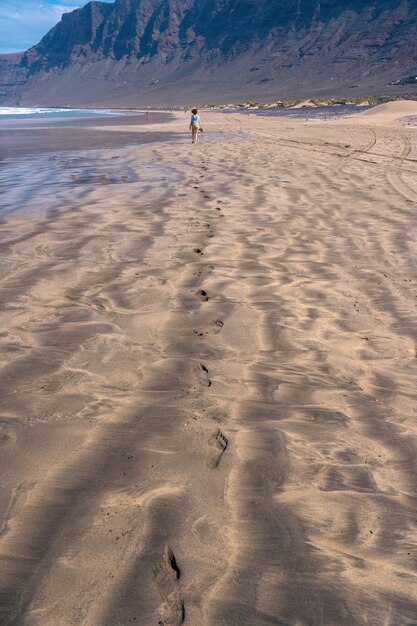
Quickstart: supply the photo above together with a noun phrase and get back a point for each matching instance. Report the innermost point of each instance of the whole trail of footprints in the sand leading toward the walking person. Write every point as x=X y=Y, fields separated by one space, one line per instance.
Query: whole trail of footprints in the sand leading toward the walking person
x=166 y=573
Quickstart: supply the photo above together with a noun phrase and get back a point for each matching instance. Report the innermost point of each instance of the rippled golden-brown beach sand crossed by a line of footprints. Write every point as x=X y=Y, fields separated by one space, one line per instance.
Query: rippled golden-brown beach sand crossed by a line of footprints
x=208 y=407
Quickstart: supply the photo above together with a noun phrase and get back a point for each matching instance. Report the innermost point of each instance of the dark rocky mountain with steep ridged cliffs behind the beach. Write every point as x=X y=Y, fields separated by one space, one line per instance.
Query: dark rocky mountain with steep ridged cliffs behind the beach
x=159 y=52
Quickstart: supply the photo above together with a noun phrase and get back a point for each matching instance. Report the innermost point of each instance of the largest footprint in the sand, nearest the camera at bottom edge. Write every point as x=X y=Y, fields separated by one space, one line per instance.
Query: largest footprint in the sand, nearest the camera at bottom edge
x=165 y=576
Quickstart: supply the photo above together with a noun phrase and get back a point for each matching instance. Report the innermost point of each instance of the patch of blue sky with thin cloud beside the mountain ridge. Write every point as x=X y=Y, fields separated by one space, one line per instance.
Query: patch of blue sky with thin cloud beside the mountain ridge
x=23 y=23
